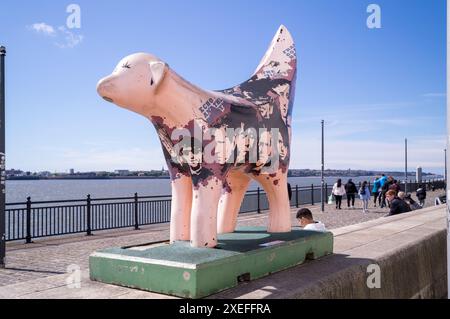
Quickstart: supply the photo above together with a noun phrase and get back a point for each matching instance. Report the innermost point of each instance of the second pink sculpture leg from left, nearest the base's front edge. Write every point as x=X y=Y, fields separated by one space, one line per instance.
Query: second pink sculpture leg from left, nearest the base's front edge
x=204 y=213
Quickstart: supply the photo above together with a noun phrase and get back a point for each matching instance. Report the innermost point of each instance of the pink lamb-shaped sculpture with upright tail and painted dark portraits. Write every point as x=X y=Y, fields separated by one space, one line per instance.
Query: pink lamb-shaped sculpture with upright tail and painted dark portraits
x=216 y=142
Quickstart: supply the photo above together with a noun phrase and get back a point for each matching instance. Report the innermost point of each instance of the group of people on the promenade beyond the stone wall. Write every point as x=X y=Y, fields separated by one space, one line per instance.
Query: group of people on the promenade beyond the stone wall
x=386 y=192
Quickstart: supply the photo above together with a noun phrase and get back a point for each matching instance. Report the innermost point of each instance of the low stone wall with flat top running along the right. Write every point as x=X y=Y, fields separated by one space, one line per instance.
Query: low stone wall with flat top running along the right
x=408 y=250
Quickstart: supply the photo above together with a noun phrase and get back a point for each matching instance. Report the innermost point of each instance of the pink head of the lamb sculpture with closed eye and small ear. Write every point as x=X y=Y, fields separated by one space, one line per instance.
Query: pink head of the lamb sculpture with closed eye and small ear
x=134 y=82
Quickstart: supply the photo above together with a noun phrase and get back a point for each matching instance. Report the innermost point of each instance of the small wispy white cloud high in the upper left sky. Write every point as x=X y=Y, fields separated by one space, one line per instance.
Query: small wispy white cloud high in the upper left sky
x=65 y=39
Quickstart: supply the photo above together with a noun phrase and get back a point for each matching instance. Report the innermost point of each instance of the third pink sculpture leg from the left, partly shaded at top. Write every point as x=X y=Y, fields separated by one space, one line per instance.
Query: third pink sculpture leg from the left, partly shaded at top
x=230 y=203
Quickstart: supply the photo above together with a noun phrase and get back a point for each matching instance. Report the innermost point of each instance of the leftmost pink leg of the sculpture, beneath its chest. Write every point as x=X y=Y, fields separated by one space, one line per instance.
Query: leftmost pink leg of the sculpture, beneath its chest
x=180 y=222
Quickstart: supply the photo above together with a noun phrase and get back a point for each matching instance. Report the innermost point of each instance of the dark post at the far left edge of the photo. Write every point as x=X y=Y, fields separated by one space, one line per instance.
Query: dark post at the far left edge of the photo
x=2 y=158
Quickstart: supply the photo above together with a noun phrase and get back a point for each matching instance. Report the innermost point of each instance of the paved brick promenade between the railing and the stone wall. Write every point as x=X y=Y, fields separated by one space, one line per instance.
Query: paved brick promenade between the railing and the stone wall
x=33 y=264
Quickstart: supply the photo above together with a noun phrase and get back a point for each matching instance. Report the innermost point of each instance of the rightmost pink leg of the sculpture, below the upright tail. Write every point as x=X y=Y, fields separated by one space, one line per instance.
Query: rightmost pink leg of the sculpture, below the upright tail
x=277 y=194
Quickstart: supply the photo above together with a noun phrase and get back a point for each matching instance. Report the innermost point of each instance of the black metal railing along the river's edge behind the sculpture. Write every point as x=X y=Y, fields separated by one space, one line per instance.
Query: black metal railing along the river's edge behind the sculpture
x=28 y=220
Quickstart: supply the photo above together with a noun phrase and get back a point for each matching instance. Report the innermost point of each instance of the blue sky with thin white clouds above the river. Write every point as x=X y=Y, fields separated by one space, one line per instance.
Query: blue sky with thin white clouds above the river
x=373 y=87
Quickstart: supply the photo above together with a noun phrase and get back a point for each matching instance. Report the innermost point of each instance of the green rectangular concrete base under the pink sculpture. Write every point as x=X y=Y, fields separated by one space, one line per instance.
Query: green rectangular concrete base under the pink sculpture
x=183 y=271
